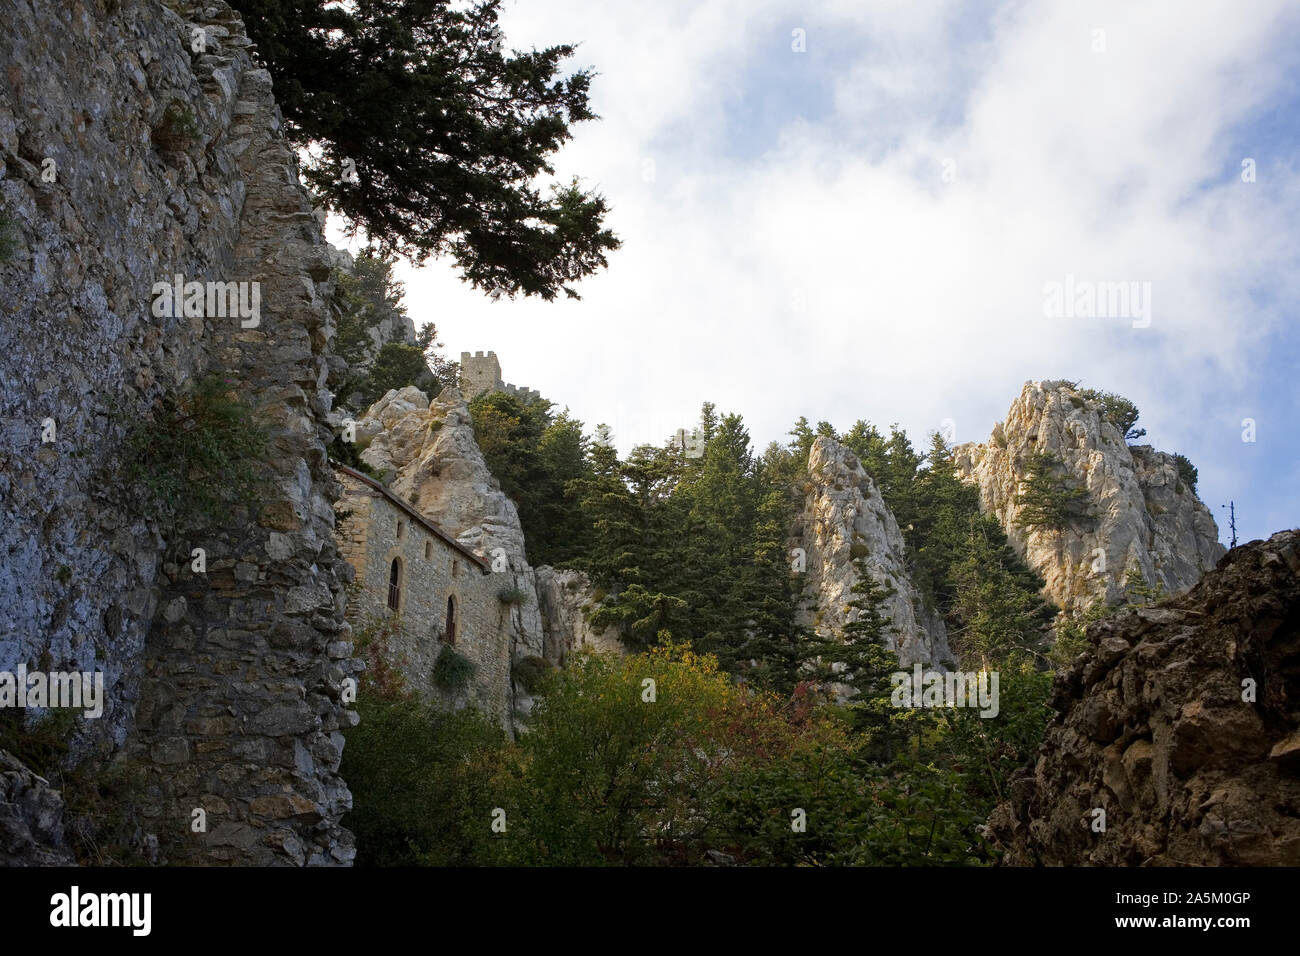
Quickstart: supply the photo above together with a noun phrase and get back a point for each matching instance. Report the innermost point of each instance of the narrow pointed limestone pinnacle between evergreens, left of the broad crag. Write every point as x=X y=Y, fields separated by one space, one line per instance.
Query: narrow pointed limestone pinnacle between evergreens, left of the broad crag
x=844 y=516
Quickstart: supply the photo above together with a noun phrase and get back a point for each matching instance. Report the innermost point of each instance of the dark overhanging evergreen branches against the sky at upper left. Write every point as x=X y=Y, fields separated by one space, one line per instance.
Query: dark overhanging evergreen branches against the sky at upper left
x=432 y=140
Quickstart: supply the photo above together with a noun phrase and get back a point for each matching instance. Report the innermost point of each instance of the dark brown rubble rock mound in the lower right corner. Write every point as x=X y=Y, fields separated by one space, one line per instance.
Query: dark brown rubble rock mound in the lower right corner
x=1181 y=725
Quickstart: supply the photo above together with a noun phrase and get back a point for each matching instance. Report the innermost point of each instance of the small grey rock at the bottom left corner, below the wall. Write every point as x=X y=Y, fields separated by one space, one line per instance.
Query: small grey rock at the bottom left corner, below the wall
x=32 y=819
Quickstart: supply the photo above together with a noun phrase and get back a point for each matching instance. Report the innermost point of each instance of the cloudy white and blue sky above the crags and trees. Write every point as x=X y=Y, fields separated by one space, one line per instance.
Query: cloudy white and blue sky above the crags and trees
x=859 y=209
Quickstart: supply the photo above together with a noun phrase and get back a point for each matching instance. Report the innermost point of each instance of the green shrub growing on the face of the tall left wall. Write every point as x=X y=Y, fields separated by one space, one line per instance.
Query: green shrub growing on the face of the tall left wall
x=198 y=458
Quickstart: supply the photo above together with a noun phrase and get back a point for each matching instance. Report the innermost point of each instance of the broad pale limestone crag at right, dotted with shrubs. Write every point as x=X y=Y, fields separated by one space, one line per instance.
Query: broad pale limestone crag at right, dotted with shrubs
x=1145 y=516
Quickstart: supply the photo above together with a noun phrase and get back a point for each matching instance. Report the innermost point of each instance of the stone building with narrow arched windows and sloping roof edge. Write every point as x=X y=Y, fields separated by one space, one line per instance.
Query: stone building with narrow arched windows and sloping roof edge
x=444 y=595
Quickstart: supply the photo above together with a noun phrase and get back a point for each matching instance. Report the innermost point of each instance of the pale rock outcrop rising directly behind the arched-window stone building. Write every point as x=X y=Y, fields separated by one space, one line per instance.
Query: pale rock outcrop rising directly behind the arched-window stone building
x=431 y=460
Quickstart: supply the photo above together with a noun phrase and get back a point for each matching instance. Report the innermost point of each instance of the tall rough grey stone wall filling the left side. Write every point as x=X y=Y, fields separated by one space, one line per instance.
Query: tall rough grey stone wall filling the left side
x=166 y=157
